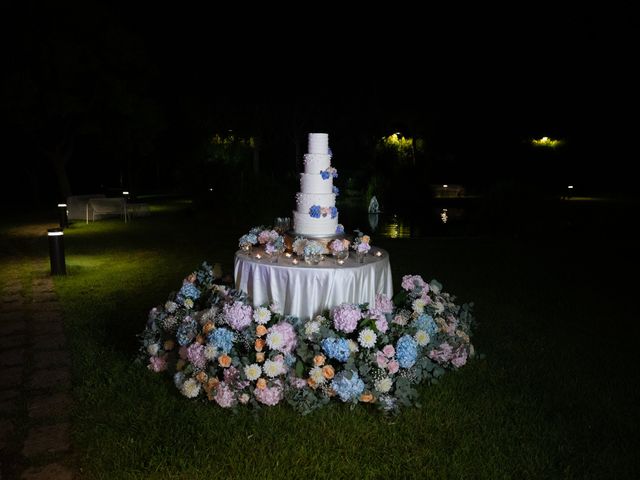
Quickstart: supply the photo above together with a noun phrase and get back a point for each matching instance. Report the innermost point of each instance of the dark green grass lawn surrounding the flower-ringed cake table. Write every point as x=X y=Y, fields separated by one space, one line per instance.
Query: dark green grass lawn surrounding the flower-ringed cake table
x=554 y=397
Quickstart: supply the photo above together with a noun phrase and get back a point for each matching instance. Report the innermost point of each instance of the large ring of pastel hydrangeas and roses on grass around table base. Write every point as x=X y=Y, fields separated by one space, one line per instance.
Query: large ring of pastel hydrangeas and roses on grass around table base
x=221 y=349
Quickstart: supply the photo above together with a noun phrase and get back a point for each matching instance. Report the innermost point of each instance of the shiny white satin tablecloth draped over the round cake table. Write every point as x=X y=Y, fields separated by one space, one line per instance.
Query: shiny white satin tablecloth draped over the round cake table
x=306 y=290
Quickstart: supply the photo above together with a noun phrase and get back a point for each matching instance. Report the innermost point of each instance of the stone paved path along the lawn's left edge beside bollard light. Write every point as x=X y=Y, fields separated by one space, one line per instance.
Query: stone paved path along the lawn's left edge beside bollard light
x=35 y=382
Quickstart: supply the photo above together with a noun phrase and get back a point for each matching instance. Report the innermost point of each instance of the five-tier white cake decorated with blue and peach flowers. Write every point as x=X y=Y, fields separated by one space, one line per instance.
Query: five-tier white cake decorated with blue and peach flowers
x=316 y=212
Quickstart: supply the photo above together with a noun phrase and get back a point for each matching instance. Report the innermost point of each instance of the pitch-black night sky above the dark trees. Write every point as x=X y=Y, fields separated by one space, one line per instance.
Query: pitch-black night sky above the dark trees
x=476 y=84
